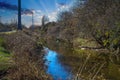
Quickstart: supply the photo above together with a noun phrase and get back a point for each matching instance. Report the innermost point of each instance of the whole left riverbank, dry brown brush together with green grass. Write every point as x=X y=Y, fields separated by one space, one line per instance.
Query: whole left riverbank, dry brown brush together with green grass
x=26 y=57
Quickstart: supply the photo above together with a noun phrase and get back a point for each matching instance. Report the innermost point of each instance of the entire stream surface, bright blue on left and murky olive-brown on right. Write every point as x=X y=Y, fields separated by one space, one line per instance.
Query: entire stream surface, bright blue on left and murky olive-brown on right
x=76 y=60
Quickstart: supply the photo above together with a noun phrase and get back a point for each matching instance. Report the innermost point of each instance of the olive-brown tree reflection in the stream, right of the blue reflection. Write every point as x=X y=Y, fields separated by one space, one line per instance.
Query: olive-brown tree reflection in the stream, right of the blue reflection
x=88 y=64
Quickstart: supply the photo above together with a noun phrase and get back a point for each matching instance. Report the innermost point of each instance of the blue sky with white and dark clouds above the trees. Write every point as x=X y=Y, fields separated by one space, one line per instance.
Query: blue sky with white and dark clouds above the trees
x=39 y=8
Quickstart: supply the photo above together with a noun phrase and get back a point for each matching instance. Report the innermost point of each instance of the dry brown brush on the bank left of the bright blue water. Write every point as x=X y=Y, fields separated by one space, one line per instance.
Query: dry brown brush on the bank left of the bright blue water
x=27 y=58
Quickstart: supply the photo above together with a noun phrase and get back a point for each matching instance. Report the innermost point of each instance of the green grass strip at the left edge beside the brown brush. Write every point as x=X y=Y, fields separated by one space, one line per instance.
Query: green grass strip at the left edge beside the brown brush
x=5 y=59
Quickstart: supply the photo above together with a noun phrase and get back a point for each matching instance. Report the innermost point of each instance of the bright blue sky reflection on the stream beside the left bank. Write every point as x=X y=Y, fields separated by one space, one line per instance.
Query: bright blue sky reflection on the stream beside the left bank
x=55 y=68
